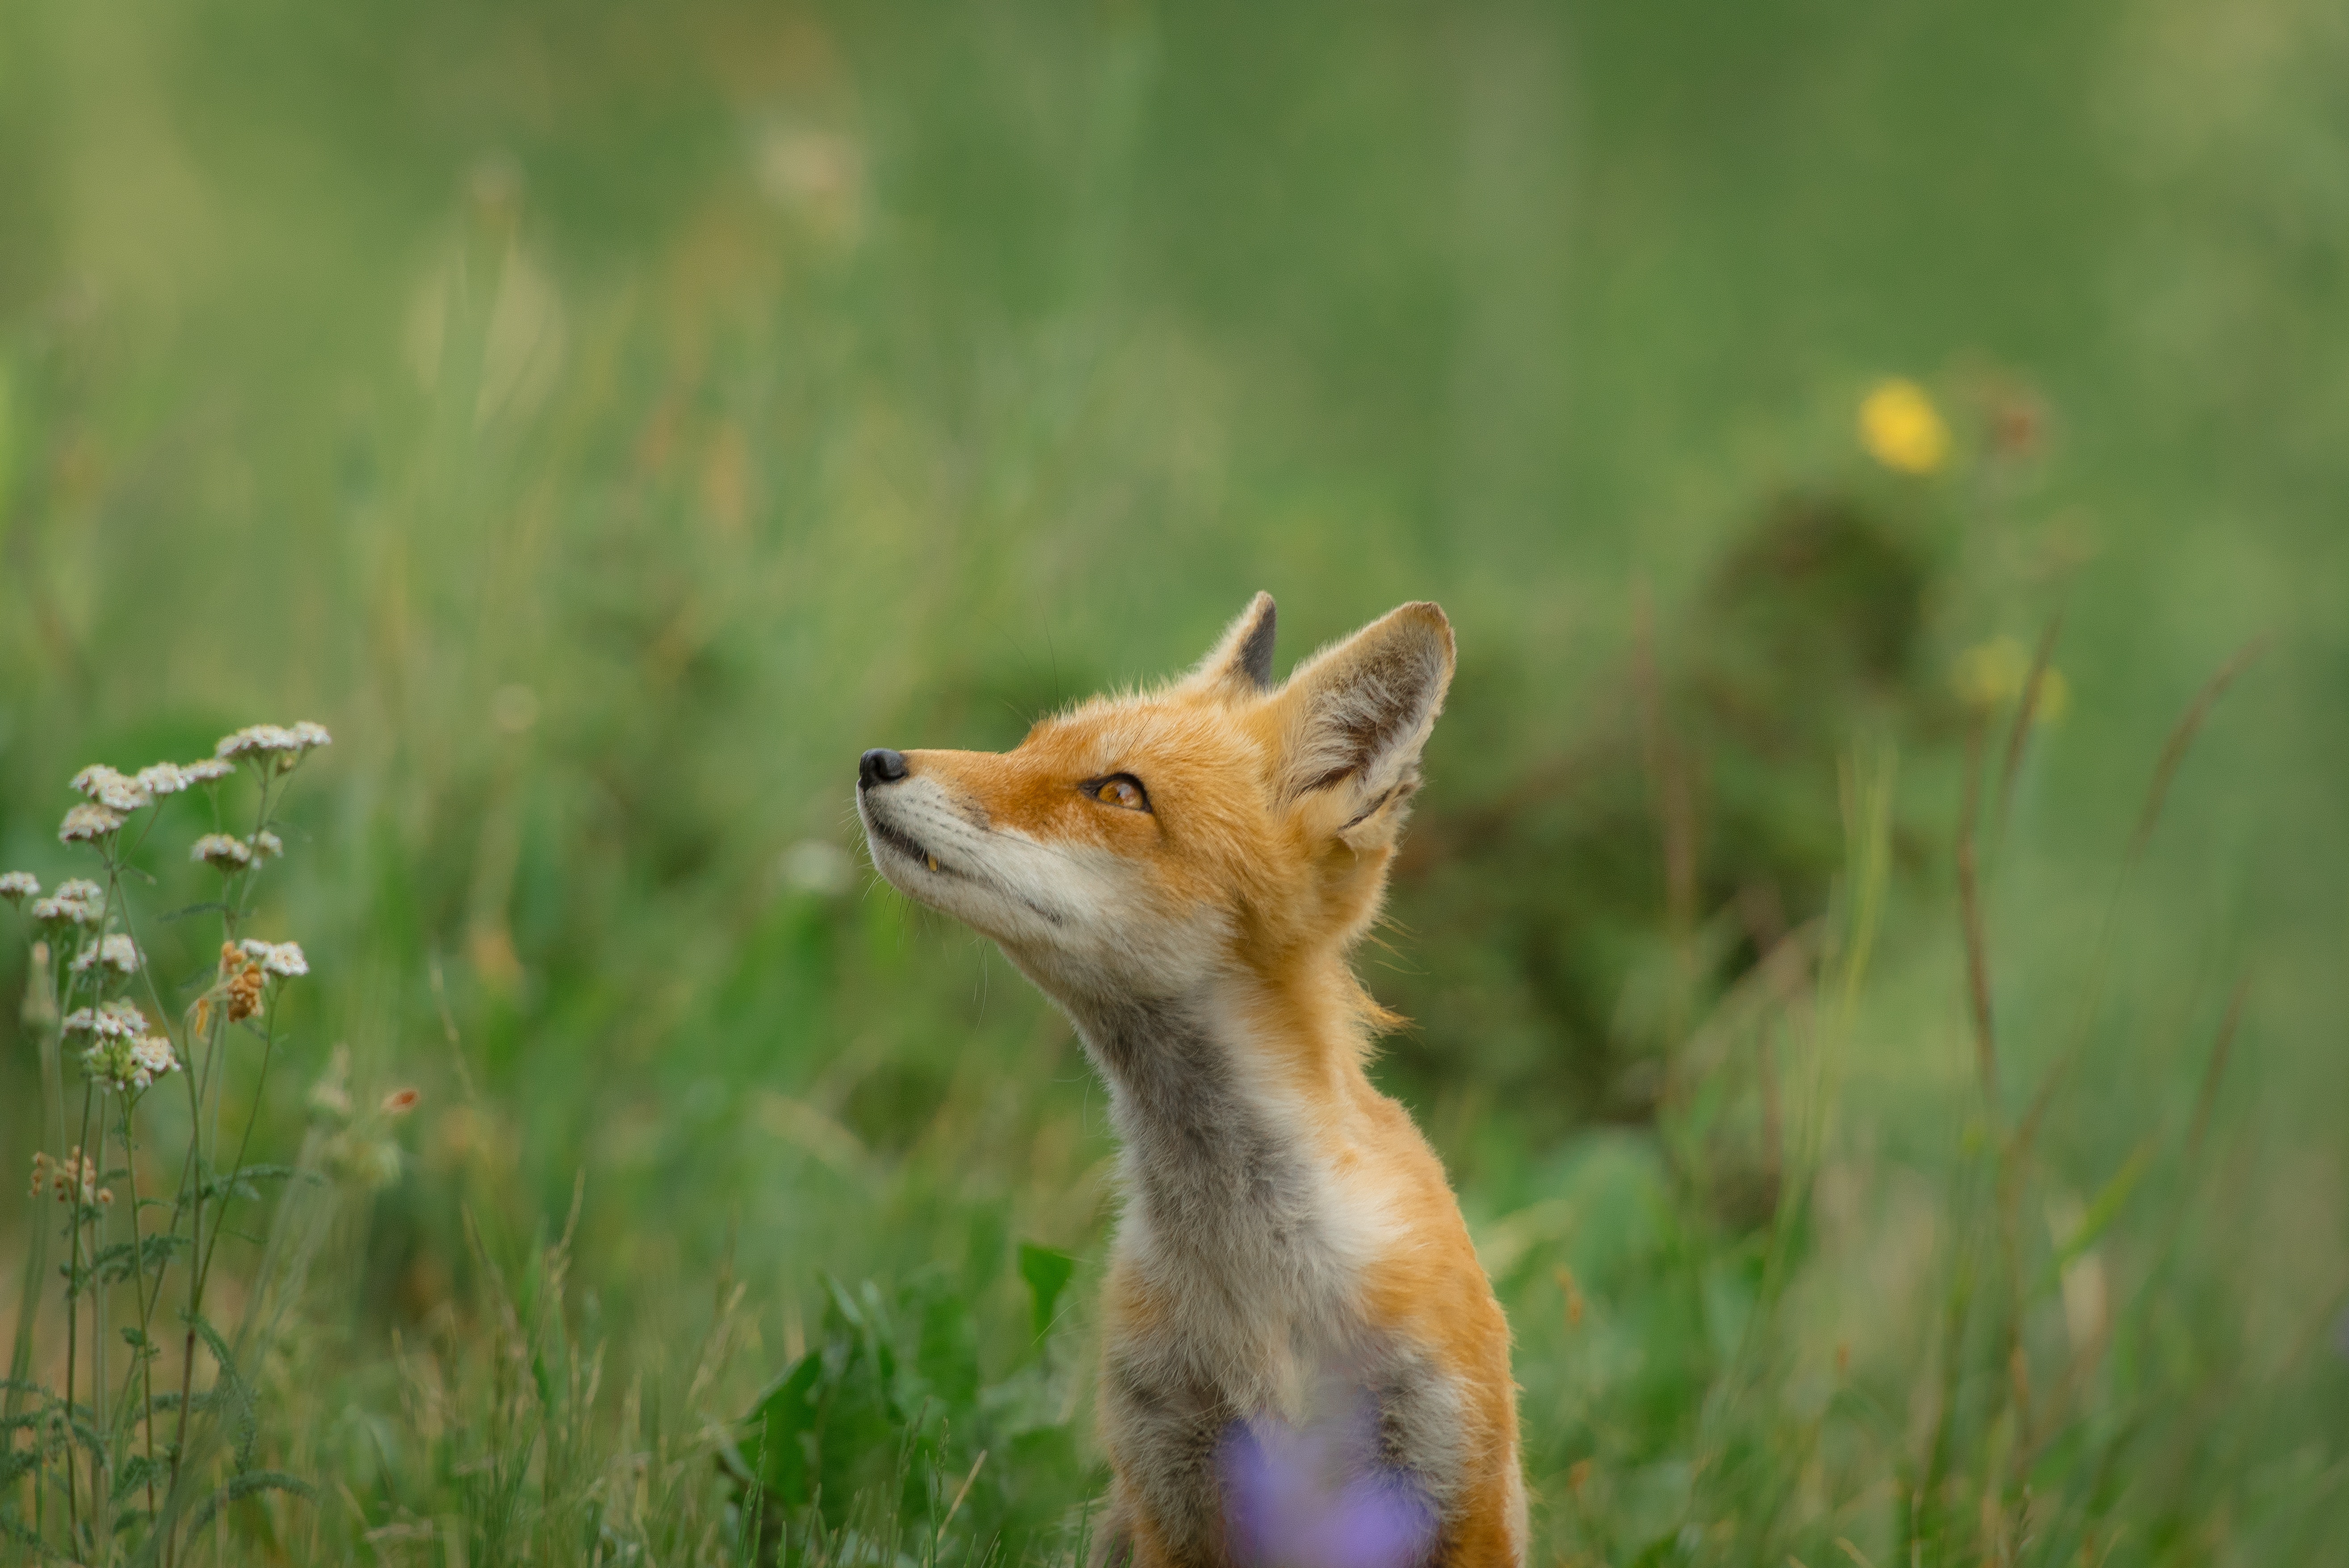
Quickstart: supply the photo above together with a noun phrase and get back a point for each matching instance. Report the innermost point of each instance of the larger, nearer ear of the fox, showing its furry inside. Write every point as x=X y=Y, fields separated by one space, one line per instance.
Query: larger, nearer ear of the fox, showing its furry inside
x=1361 y=712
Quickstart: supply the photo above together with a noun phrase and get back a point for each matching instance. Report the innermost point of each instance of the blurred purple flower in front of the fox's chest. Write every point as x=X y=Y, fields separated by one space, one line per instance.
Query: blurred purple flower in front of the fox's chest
x=1319 y=1499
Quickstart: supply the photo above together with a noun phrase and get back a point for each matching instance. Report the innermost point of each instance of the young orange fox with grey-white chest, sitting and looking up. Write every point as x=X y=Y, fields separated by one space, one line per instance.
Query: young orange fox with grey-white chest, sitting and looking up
x=1303 y=1363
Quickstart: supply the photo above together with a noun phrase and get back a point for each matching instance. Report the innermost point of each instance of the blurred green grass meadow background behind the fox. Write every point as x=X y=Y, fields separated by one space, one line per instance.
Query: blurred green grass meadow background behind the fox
x=614 y=419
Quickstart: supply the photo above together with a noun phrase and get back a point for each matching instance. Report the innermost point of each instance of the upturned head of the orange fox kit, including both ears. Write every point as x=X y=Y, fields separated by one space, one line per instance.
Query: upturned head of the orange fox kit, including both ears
x=1150 y=846
